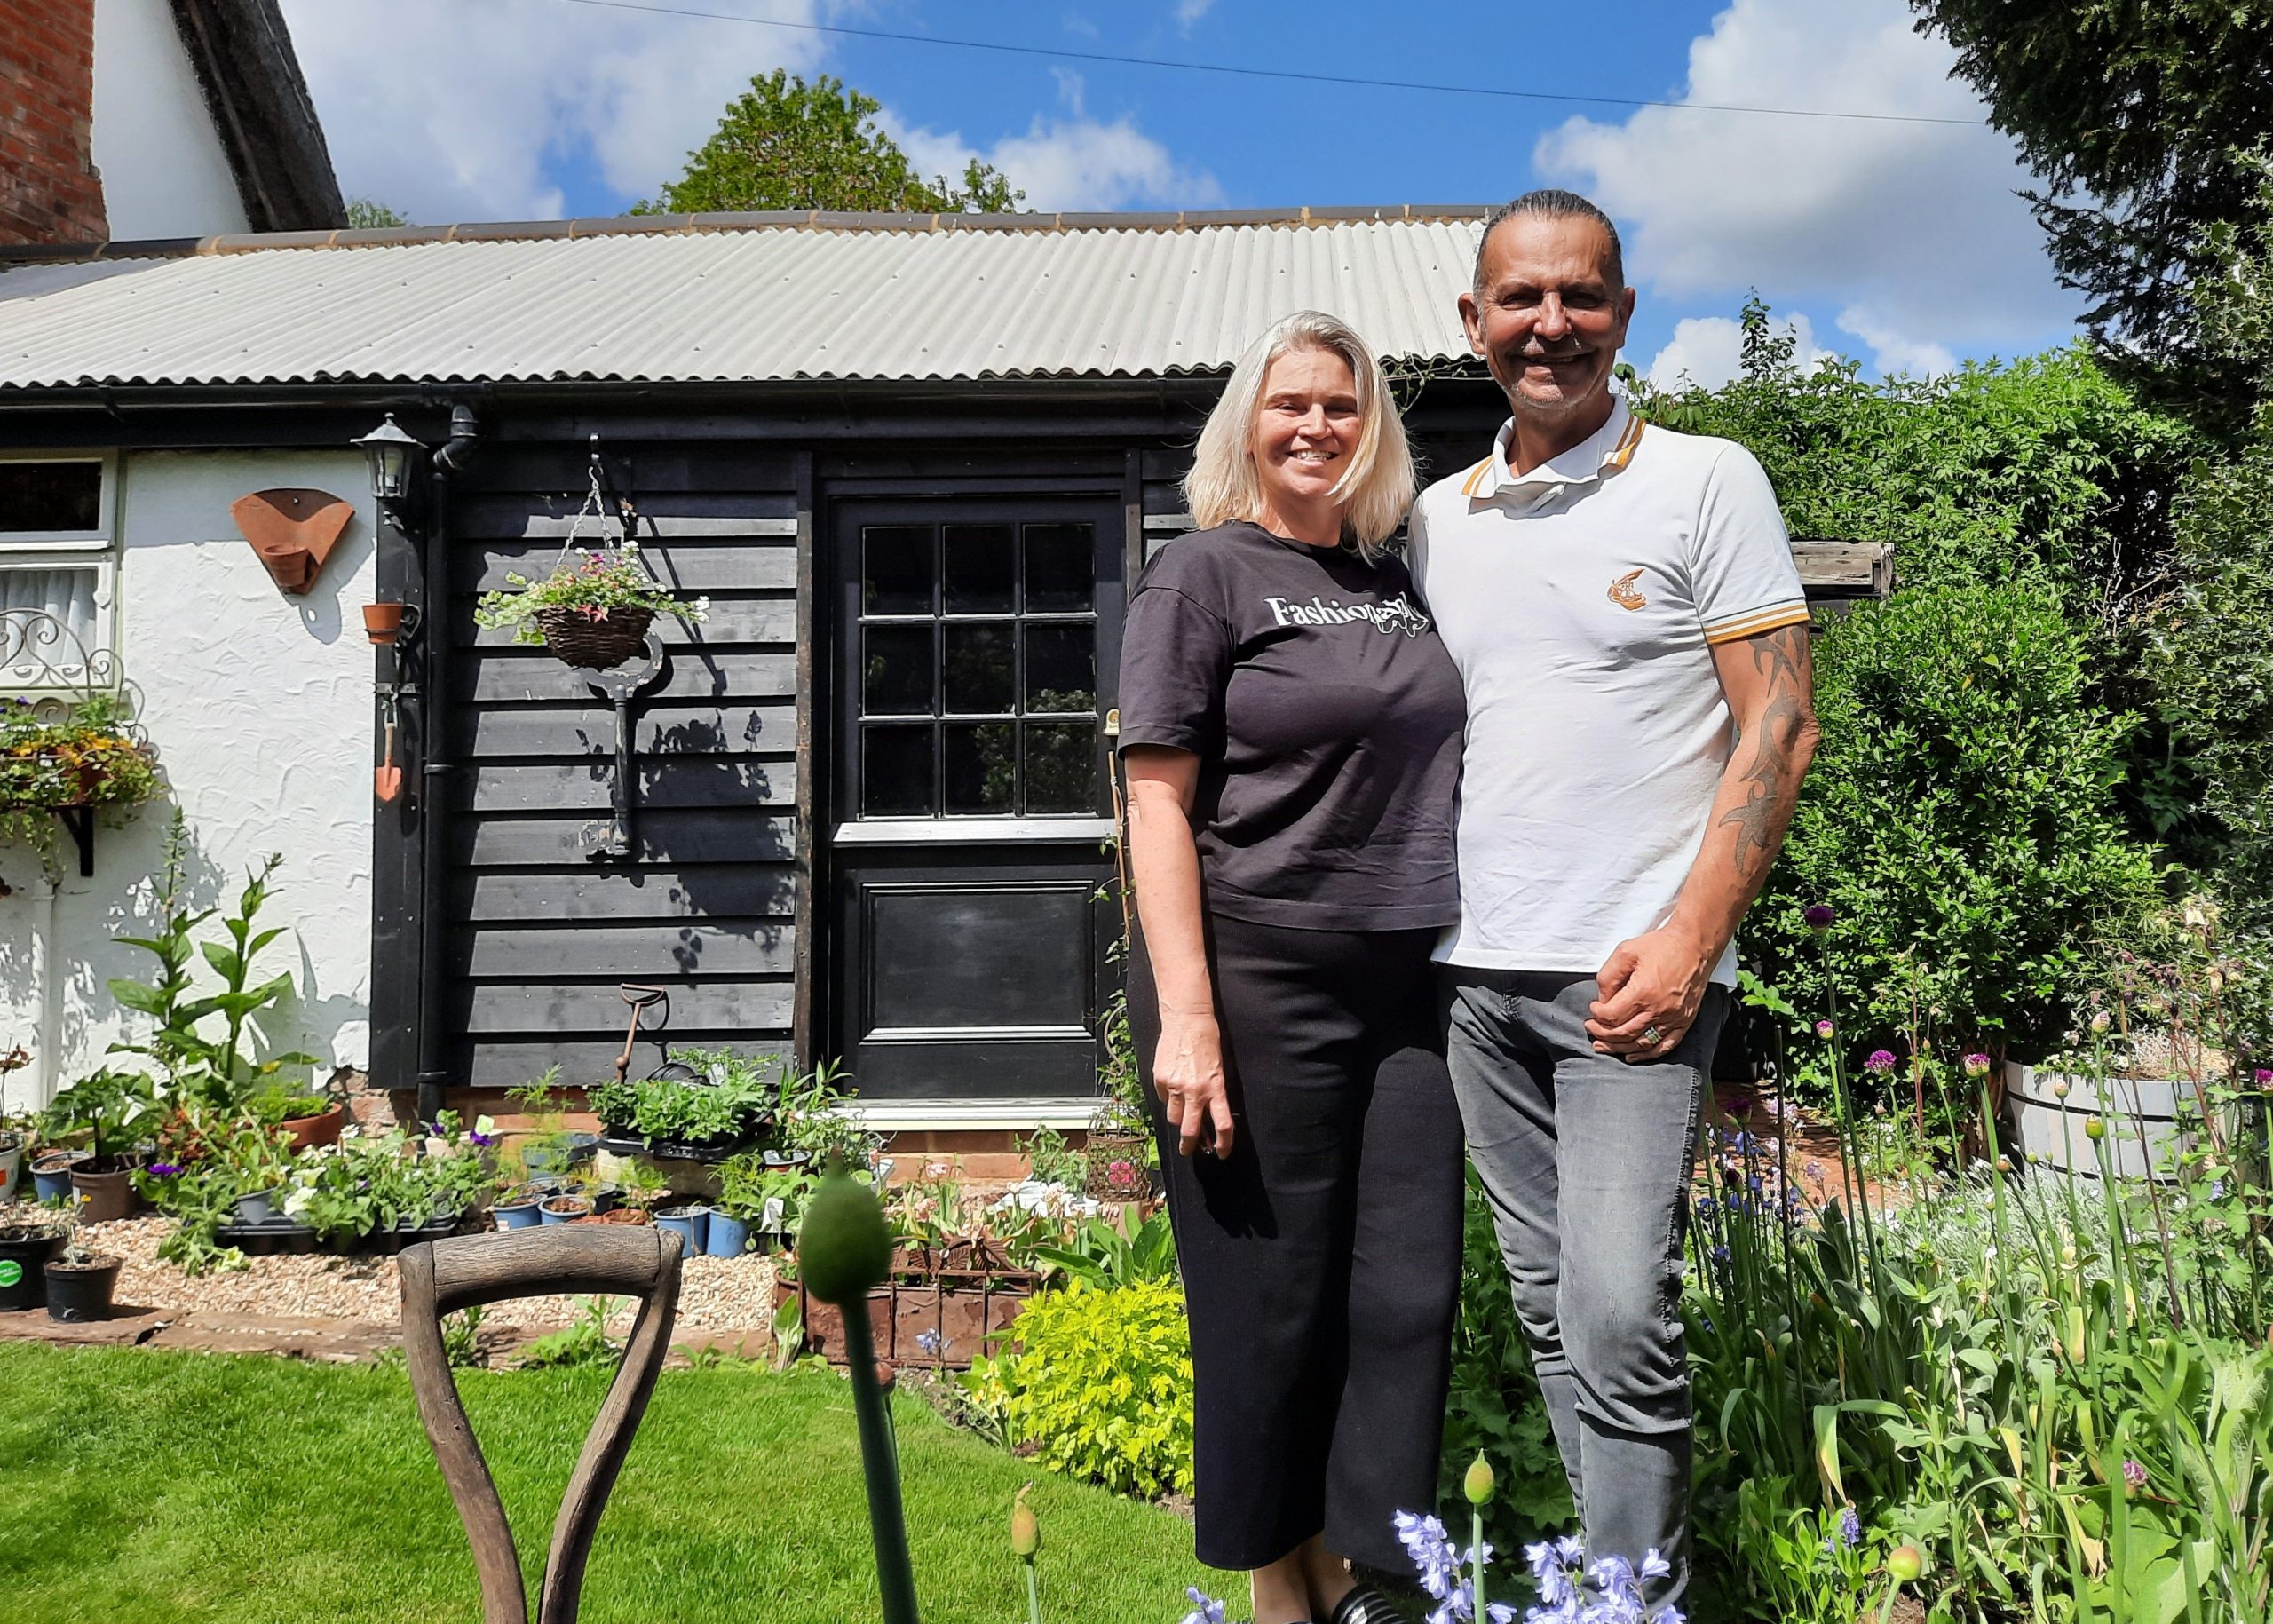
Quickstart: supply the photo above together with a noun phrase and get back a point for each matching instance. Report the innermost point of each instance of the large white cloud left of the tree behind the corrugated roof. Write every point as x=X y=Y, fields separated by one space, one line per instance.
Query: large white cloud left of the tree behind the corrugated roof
x=449 y=110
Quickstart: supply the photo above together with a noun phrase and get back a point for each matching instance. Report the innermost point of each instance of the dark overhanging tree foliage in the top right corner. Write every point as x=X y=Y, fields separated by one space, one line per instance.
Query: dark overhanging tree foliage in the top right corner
x=2140 y=122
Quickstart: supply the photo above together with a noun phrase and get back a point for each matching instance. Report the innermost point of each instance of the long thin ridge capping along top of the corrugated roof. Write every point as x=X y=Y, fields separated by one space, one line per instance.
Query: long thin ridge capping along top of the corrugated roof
x=751 y=222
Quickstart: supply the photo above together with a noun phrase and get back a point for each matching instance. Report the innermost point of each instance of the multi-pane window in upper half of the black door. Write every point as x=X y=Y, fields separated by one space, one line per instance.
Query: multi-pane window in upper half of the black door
x=979 y=670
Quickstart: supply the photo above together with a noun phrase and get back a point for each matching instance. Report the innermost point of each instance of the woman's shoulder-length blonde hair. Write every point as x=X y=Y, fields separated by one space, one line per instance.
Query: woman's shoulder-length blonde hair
x=1379 y=483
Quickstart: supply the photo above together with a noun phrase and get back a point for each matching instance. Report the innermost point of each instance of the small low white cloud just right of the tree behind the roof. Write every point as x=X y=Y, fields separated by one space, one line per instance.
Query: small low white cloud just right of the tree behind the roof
x=1072 y=165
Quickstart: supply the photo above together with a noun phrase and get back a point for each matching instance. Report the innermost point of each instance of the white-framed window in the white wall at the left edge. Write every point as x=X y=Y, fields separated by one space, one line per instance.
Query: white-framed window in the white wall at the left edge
x=58 y=558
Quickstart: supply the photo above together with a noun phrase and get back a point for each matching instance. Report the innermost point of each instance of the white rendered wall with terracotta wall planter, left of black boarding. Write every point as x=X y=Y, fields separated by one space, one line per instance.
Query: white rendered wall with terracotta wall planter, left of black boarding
x=260 y=711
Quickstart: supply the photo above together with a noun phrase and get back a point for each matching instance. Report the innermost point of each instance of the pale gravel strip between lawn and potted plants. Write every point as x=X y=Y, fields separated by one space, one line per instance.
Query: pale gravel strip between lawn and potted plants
x=715 y=1293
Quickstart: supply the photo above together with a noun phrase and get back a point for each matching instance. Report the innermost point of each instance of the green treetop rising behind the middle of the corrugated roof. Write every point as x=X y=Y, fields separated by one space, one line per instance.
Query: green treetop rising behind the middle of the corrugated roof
x=790 y=144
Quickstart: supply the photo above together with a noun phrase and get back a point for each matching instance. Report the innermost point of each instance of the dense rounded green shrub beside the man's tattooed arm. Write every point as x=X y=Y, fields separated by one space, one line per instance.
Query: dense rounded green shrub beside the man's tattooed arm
x=1960 y=820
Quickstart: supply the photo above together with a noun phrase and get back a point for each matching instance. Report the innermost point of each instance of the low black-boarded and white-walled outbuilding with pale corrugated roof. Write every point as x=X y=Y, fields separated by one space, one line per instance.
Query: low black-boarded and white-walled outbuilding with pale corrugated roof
x=865 y=809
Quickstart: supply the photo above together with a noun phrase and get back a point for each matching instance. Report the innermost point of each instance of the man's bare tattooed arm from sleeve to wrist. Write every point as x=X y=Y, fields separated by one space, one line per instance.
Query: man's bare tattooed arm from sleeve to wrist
x=1776 y=738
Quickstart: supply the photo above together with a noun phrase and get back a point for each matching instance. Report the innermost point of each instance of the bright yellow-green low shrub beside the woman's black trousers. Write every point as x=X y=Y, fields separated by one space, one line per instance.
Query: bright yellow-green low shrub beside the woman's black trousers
x=1101 y=1386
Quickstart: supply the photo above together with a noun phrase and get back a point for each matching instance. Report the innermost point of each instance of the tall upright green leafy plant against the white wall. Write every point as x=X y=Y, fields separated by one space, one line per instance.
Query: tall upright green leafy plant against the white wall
x=203 y=1066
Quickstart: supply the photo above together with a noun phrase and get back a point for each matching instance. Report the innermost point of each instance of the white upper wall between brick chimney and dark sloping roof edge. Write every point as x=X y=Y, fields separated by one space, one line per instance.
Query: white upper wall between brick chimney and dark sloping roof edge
x=165 y=172
